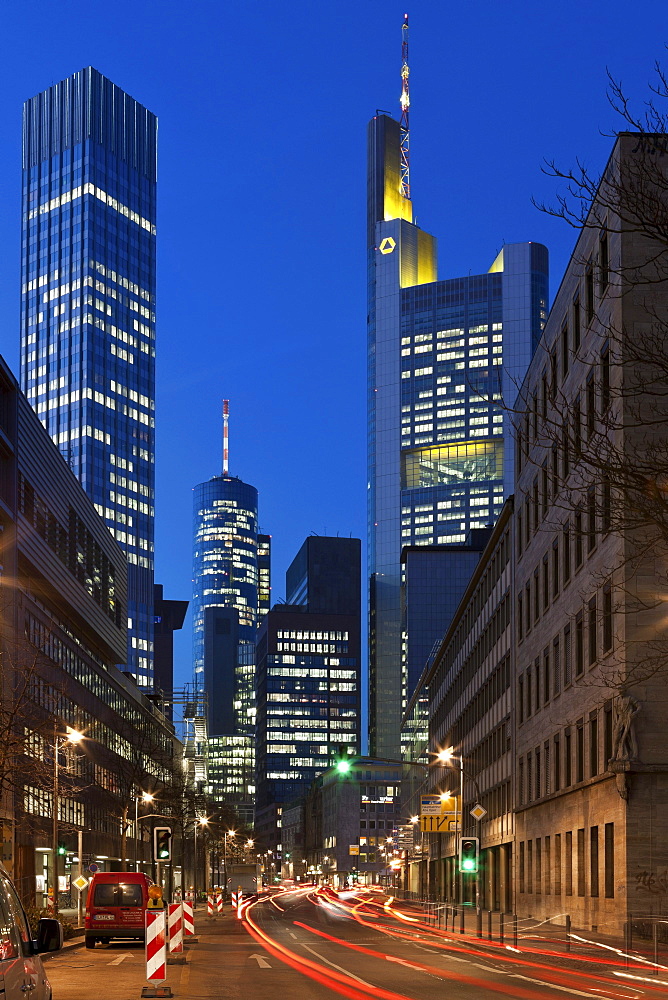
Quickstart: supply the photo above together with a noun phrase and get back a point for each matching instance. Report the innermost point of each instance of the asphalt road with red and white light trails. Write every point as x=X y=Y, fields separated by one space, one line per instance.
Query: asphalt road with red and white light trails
x=312 y=945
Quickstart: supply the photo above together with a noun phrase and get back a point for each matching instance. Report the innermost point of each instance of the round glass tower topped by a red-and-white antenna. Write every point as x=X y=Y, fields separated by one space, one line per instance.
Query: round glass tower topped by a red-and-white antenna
x=225 y=575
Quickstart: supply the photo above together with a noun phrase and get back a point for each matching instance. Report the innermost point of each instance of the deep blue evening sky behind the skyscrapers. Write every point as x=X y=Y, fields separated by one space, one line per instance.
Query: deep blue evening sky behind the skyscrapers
x=261 y=206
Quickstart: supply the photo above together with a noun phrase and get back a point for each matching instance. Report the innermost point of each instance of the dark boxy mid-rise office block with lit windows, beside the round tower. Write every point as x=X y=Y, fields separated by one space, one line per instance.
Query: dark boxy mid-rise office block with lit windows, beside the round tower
x=308 y=678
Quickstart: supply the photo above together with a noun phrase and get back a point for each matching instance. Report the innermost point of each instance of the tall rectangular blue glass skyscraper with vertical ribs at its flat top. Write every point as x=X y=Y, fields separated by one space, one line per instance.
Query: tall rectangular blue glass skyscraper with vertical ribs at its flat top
x=88 y=309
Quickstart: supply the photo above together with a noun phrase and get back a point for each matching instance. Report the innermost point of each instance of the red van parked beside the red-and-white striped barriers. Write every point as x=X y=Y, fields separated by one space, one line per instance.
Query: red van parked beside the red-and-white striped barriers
x=116 y=906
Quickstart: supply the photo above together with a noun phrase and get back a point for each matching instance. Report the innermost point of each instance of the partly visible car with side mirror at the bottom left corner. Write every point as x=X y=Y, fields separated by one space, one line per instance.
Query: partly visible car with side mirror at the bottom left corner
x=21 y=969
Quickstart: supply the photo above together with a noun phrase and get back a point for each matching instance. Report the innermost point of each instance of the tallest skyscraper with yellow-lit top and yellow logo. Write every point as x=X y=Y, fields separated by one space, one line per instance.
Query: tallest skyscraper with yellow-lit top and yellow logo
x=440 y=355
